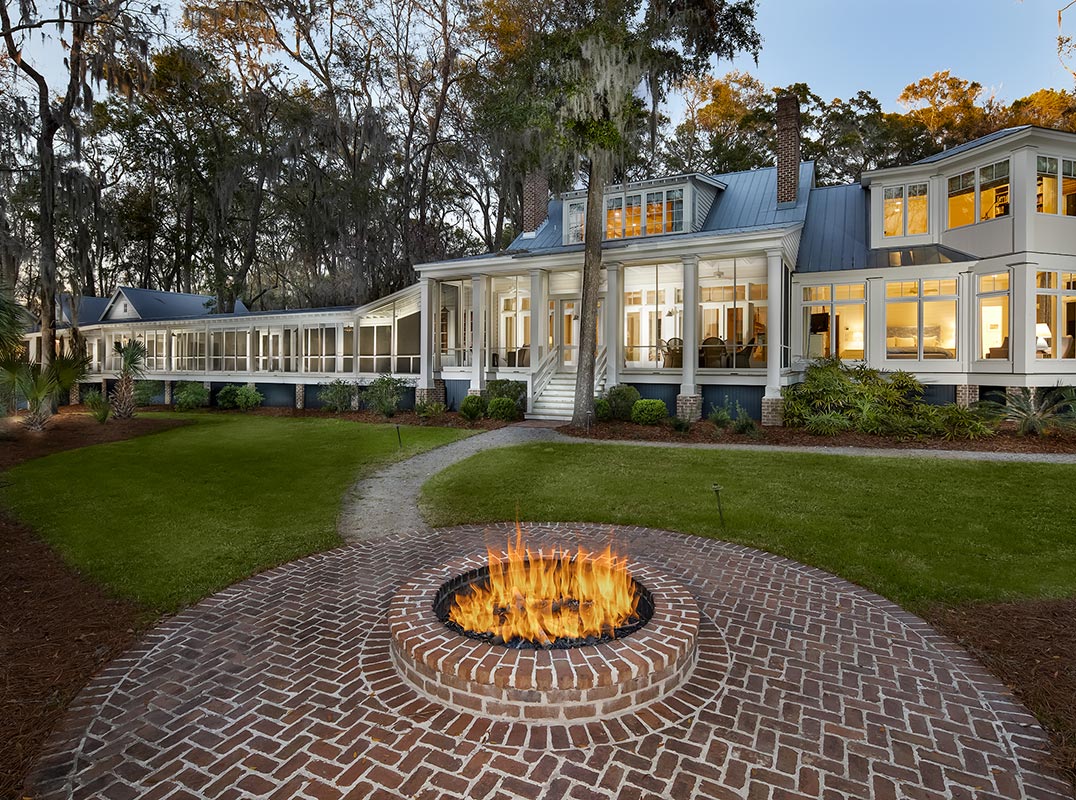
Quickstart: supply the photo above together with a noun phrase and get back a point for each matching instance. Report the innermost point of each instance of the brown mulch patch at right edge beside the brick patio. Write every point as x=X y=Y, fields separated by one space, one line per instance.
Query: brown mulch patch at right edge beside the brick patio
x=1031 y=647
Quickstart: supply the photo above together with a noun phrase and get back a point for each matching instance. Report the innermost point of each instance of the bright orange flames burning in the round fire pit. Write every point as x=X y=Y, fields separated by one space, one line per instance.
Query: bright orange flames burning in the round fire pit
x=542 y=598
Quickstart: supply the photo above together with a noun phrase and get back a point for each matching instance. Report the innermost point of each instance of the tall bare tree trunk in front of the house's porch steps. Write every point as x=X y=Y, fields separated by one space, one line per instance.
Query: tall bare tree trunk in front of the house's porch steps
x=601 y=166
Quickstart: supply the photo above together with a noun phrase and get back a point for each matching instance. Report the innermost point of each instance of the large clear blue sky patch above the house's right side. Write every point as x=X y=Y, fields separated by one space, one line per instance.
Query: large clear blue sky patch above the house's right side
x=841 y=47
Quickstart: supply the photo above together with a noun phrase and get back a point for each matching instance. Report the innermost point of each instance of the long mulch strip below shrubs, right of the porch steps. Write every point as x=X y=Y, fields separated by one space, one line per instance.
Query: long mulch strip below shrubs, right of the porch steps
x=1004 y=441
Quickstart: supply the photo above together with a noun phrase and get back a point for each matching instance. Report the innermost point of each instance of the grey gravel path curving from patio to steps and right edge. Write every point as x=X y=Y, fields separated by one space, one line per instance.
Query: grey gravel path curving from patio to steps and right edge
x=388 y=503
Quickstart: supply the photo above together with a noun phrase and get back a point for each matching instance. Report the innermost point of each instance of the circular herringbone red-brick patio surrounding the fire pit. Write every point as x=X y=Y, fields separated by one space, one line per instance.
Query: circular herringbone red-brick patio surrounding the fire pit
x=806 y=687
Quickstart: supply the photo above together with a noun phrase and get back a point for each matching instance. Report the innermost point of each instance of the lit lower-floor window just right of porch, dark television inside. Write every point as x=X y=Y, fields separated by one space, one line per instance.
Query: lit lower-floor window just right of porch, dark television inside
x=836 y=321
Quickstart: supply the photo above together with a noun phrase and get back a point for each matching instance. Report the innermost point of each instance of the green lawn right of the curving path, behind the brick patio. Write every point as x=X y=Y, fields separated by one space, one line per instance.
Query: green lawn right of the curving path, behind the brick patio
x=916 y=531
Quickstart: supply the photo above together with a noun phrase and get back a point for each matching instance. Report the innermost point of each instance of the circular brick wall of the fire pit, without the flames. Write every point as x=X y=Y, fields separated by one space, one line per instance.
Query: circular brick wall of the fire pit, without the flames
x=584 y=683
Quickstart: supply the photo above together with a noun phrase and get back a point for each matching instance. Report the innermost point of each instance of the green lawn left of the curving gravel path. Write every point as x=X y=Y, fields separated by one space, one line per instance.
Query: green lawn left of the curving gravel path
x=169 y=518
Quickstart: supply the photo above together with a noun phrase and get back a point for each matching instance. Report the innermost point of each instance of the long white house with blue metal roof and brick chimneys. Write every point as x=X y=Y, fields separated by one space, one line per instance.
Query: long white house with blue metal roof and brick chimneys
x=960 y=269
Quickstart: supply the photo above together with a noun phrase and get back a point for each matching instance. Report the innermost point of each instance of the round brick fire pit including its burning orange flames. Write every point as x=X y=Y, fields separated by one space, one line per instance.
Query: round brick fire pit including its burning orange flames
x=549 y=653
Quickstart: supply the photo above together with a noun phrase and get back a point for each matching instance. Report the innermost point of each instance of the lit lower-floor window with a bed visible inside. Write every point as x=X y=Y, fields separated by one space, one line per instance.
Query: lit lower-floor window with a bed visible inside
x=922 y=319
